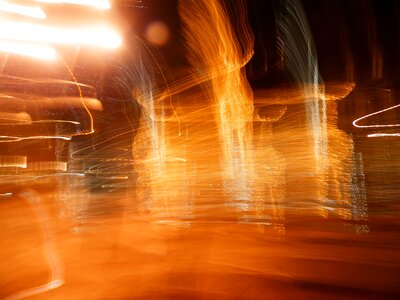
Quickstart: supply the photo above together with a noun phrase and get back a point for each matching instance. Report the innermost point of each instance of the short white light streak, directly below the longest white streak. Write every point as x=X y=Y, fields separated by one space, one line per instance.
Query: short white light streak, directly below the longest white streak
x=28 y=49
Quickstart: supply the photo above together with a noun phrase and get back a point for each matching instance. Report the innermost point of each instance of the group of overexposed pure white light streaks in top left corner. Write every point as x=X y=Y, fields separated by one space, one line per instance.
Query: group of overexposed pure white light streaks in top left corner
x=37 y=39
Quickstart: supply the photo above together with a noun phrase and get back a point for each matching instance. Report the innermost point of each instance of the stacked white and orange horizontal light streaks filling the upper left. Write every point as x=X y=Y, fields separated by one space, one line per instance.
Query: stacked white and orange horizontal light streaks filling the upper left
x=46 y=112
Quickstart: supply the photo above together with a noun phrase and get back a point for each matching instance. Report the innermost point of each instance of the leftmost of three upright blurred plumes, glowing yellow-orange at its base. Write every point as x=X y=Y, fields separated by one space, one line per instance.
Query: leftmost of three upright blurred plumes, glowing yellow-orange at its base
x=159 y=179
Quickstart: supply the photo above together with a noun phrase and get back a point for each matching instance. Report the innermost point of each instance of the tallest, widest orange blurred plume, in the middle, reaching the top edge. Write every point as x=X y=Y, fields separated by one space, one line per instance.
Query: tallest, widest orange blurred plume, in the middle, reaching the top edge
x=216 y=49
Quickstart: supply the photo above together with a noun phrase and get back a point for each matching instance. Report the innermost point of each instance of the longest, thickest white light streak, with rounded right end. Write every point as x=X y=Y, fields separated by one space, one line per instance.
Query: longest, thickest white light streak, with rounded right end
x=95 y=35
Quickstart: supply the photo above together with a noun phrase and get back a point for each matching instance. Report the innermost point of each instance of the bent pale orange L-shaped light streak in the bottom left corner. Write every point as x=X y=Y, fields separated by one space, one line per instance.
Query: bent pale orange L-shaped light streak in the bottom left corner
x=56 y=278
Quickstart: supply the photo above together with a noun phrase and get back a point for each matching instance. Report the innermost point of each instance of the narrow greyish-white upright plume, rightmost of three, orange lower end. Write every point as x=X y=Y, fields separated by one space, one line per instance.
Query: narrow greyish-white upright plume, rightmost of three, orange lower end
x=299 y=57
